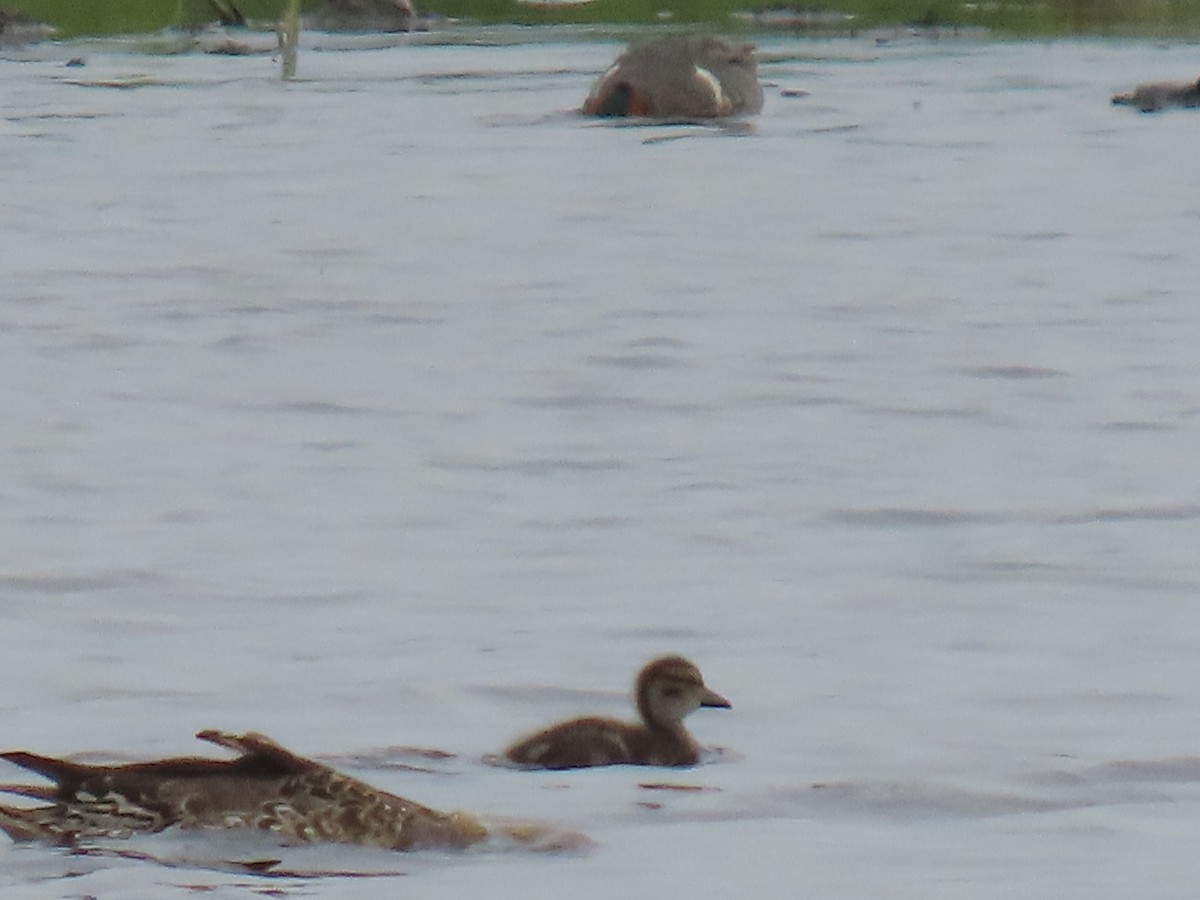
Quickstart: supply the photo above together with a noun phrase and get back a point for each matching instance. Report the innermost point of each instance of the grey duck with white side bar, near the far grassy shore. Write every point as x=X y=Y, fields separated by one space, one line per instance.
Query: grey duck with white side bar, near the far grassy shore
x=680 y=77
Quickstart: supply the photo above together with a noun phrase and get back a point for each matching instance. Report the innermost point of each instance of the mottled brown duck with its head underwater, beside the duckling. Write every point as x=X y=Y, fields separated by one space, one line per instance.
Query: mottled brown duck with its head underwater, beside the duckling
x=266 y=788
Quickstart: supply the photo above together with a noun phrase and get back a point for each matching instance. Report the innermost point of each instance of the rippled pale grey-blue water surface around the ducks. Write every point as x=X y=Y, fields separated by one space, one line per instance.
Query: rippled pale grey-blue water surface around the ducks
x=400 y=406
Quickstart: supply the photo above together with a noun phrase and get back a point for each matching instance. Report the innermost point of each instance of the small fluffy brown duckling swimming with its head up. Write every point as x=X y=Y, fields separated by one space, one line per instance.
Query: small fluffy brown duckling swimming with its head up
x=668 y=691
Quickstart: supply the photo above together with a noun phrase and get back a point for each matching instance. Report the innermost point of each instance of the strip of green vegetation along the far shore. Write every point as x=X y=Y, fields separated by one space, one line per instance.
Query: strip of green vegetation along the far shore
x=1160 y=19
